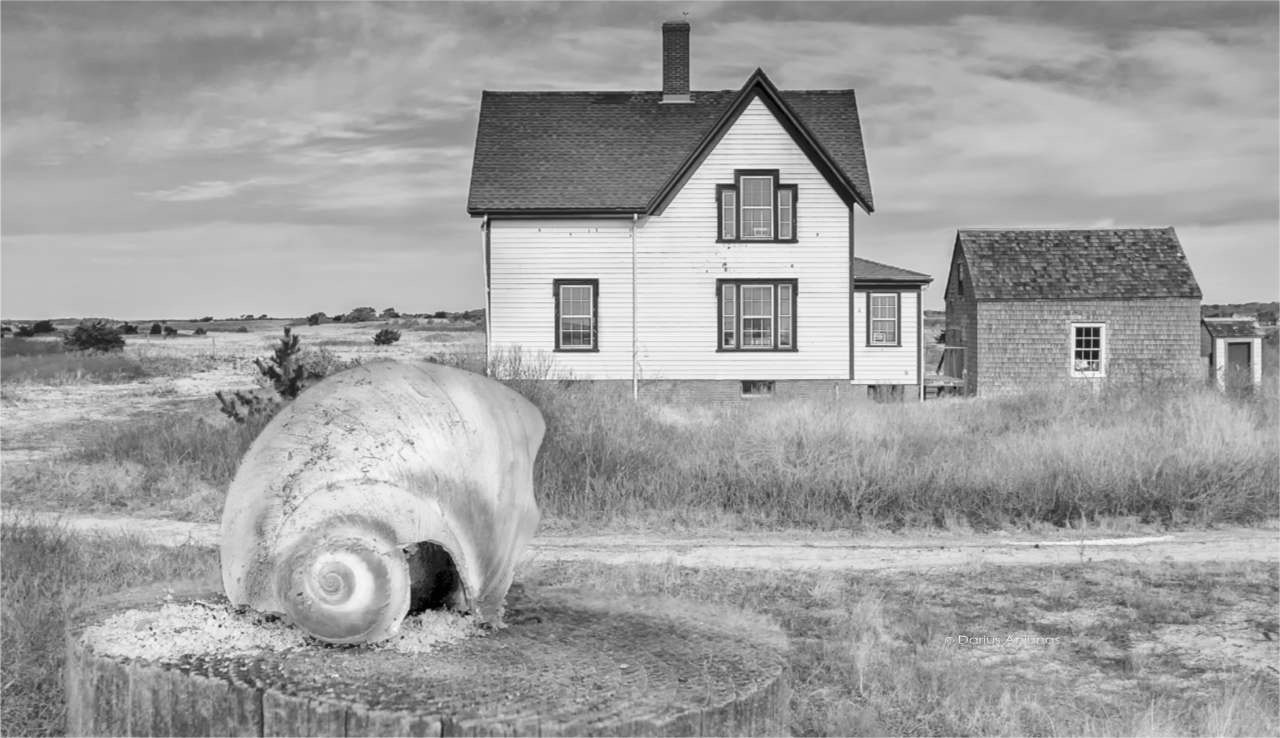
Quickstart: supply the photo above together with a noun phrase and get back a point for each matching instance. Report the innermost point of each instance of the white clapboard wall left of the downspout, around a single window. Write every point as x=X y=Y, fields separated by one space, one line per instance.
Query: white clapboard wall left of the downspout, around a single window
x=527 y=256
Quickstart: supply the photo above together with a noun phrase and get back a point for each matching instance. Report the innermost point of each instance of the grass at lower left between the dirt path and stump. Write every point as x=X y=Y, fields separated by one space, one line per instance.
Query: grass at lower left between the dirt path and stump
x=45 y=575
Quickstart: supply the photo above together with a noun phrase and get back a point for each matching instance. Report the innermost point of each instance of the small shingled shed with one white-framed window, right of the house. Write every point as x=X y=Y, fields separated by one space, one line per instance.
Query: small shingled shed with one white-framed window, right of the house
x=1034 y=309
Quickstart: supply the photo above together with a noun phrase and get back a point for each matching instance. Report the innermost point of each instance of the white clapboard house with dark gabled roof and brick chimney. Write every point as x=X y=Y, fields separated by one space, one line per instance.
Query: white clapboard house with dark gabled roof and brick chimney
x=689 y=245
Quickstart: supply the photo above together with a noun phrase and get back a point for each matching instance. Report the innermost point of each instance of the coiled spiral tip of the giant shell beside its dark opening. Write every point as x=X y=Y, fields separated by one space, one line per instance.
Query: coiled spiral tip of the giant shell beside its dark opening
x=348 y=586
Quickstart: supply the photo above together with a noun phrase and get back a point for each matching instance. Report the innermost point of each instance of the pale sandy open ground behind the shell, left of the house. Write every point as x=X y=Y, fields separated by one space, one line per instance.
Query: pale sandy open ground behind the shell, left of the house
x=38 y=420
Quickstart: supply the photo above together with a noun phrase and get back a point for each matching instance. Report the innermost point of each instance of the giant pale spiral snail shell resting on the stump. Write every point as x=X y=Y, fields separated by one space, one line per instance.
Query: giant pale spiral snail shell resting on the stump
x=381 y=488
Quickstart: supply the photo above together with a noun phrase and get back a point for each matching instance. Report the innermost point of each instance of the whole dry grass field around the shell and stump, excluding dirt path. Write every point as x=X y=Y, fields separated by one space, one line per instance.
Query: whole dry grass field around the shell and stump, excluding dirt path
x=1095 y=649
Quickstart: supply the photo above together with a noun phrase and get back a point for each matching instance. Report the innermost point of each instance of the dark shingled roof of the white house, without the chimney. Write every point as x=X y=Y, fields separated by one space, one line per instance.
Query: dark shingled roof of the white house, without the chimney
x=624 y=153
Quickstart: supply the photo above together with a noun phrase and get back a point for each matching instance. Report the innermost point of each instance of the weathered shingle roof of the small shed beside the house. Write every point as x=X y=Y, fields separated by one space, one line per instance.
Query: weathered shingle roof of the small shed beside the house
x=1098 y=264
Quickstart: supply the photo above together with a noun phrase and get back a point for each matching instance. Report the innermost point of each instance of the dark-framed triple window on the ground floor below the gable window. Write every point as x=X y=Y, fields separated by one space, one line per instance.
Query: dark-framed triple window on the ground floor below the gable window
x=757 y=315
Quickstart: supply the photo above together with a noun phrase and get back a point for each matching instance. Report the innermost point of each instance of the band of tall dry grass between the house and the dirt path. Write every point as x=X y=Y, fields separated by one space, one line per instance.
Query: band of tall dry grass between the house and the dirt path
x=1058 y=459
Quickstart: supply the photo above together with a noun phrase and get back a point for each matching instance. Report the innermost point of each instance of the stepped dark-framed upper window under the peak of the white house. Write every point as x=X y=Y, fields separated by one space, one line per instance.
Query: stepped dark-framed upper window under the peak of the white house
x=756 y=208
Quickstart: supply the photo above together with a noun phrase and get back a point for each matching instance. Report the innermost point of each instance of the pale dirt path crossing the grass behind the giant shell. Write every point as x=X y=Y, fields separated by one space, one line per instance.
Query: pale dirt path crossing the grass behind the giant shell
x=779 y=552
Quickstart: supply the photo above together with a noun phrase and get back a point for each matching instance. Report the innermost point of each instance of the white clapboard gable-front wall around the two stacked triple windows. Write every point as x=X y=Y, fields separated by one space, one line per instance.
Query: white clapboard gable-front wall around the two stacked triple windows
x=680 y=262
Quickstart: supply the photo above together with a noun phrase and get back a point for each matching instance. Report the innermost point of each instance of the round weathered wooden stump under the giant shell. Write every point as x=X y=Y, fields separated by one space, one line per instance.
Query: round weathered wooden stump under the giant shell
x=568 y=664
